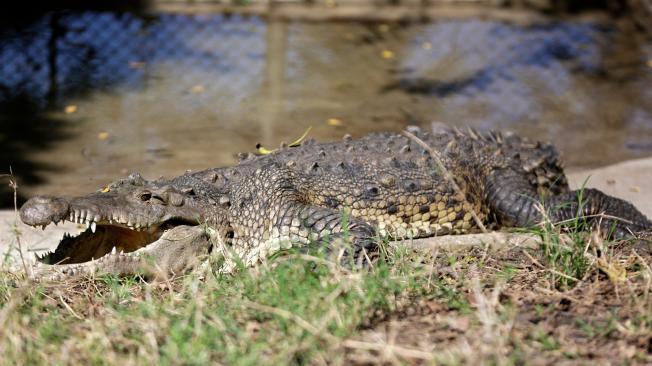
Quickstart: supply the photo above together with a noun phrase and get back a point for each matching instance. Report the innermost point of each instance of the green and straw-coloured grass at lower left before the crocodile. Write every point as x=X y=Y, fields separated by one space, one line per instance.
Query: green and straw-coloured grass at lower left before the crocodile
x=293 y=308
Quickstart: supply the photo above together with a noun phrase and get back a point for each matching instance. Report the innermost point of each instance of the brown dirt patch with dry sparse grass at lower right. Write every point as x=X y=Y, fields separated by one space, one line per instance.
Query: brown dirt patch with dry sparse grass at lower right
x=506 y=312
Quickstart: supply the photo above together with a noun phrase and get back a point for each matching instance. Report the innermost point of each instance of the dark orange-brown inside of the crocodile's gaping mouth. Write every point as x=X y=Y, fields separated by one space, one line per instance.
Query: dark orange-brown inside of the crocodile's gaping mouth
x=102 y=237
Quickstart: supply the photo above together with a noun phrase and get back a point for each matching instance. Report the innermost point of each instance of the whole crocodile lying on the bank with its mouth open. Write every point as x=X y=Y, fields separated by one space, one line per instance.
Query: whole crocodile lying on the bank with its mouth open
x=340 y=196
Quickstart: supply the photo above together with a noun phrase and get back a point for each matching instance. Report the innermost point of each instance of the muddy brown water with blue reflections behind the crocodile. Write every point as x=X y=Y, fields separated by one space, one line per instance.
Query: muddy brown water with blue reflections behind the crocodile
x=87 y=97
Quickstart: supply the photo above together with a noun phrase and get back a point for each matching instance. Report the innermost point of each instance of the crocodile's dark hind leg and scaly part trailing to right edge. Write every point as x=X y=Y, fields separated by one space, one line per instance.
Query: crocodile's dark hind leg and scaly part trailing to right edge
x=516 y=203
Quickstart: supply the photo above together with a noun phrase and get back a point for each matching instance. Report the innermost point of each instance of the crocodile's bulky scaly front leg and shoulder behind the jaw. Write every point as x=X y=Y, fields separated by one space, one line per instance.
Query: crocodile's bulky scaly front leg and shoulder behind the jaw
x=268 y=213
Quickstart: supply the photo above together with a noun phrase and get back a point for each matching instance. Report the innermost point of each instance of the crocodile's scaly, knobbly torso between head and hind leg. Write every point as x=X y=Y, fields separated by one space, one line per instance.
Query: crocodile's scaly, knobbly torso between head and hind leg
x=385 y=179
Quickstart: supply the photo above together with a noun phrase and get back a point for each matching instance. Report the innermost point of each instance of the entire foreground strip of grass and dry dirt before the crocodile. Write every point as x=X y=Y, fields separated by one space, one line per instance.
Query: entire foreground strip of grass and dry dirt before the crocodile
x=414 y=307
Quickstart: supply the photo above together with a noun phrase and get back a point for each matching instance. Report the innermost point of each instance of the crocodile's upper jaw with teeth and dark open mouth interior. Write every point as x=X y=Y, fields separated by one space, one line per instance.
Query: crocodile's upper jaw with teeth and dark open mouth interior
x=115 y=222
